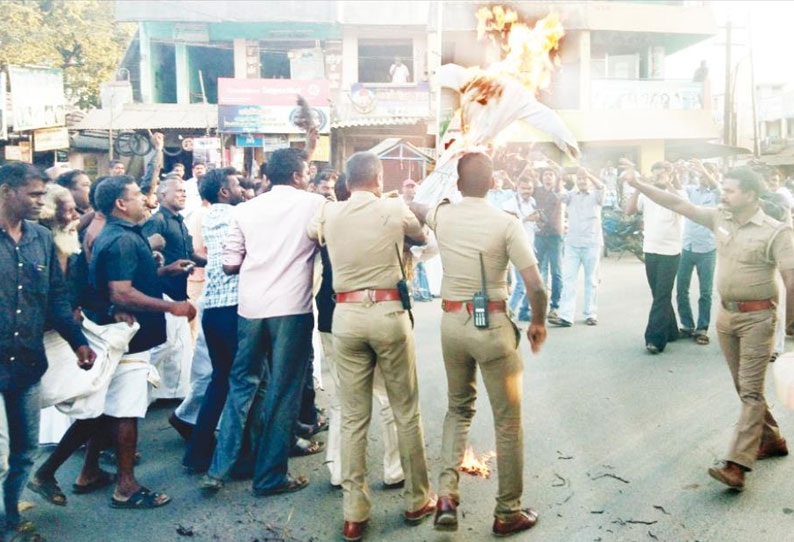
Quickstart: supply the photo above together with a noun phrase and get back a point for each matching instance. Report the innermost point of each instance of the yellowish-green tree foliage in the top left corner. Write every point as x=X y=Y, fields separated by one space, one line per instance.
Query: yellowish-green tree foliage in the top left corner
x=79 y=36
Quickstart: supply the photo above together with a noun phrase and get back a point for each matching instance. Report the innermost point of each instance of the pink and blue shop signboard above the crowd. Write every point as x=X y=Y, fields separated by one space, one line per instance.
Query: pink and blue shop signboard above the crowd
x=269 y=106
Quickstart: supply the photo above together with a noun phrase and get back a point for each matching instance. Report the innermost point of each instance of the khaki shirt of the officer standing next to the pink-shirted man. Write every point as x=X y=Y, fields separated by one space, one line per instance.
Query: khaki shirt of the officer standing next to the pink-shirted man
x=361 y=234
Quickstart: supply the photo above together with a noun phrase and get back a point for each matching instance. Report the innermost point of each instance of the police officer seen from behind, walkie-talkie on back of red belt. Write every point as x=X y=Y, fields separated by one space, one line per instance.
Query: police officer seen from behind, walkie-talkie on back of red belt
x=474 y=236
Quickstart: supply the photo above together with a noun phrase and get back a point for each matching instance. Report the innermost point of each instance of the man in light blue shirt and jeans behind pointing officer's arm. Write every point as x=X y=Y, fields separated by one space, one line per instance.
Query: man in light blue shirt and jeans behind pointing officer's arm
x=699 y=252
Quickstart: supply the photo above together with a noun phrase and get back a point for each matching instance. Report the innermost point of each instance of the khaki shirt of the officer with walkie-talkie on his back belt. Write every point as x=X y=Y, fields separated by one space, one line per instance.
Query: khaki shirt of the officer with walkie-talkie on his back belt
x=472 y=227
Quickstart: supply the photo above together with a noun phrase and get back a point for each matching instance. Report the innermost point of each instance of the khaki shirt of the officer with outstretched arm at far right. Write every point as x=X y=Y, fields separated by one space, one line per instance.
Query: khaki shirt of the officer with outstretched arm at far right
x=747 y=256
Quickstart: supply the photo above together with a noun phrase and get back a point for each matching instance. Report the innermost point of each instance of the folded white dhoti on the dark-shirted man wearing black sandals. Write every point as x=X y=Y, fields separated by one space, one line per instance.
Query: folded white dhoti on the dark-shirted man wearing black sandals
x=128 y=392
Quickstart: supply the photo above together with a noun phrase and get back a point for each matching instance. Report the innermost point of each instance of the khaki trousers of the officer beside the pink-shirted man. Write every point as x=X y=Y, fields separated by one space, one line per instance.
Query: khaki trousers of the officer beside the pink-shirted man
x=366 y=334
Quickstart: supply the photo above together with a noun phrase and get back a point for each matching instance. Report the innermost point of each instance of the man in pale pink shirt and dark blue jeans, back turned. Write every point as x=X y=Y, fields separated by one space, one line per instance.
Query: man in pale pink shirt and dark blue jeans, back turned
x=268 y=246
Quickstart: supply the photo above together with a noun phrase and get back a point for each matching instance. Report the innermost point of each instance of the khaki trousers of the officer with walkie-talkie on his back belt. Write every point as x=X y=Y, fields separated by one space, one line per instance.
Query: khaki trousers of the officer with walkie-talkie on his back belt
x=495 y=351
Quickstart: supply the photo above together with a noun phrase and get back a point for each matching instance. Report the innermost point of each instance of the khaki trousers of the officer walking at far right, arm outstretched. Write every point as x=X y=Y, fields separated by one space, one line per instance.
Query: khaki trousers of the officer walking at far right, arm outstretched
x=746 y=339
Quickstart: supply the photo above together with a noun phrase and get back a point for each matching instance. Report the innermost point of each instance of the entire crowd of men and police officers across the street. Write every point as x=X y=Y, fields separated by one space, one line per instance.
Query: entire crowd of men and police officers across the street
x=224 y=315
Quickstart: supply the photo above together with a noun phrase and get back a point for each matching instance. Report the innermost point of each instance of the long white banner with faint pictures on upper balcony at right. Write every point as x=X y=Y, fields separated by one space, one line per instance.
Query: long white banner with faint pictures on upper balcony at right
x=646 y=94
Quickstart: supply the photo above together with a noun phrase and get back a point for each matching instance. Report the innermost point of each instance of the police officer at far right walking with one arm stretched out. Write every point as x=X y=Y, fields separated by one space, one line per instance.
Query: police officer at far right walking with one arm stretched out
x=750 y=247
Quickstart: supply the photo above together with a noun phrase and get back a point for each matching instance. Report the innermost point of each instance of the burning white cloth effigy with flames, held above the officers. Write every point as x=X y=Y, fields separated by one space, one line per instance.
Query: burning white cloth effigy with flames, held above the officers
x=493 y=98
